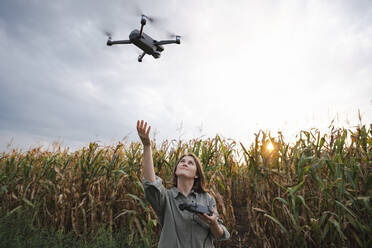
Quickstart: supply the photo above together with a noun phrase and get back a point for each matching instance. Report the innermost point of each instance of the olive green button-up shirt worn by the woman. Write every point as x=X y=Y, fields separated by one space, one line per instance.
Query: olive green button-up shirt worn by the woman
x=181 y=229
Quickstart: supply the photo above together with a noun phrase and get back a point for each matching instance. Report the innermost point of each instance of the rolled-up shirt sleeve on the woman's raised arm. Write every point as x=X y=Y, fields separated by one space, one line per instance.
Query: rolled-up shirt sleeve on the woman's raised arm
x=155 y=194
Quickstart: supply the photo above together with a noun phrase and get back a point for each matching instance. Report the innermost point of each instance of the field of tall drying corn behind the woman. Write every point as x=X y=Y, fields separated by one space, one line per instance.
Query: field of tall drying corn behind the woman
x=314 y=192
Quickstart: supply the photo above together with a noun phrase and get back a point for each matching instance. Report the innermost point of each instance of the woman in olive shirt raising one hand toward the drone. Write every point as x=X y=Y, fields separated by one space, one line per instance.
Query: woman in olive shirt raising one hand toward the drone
x=180 y=228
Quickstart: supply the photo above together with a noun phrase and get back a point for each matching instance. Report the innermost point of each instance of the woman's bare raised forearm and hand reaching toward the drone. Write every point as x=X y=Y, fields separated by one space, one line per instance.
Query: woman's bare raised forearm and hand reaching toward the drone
x=148 y=166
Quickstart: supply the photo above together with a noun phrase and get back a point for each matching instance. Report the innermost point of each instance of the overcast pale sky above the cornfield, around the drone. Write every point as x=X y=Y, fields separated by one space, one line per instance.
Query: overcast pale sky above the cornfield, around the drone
x=241 y=66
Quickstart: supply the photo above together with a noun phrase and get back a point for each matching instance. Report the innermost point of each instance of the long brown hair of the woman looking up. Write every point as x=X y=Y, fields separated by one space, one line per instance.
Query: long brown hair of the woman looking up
x=199 y=182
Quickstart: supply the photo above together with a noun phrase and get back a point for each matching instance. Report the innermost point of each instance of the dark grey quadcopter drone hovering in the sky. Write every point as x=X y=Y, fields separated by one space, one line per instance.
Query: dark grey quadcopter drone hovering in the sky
x=143 y=41
